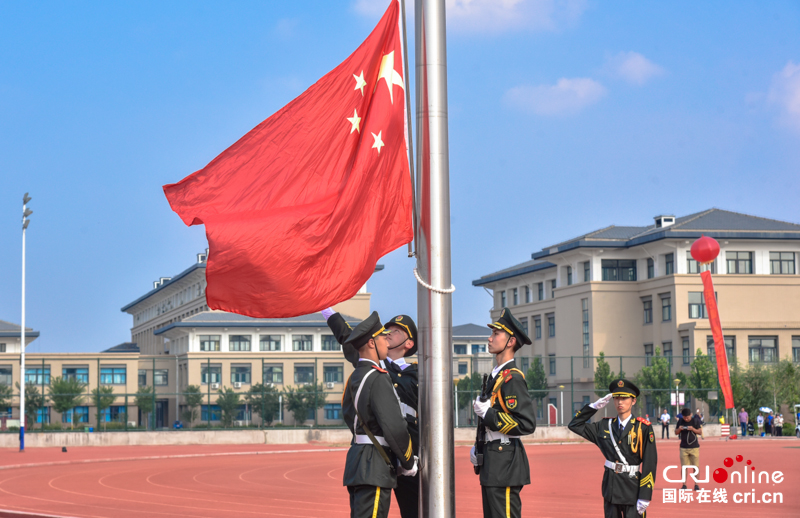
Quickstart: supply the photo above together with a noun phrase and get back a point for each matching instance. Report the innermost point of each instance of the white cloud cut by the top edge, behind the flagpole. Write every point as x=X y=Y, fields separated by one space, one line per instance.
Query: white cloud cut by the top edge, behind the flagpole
x=494 y=16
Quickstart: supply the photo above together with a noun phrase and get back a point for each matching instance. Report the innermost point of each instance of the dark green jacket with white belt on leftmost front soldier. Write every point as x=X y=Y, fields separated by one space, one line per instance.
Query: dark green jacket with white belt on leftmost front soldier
x=380 y=410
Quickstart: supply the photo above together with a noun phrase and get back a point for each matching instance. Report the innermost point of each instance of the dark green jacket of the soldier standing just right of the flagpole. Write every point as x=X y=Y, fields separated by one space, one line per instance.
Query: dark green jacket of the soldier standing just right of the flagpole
x=507 y=464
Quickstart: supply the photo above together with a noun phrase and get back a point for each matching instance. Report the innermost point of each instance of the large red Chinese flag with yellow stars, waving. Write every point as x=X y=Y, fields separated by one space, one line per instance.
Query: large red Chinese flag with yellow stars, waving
x=300 y=209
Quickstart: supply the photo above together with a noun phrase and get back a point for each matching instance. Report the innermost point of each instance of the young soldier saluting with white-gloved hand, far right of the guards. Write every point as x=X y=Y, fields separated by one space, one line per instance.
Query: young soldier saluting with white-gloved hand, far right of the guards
x=629 y=447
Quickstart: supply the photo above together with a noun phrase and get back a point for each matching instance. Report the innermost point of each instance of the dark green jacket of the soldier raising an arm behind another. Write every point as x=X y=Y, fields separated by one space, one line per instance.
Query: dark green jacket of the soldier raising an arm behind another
x=405 y=382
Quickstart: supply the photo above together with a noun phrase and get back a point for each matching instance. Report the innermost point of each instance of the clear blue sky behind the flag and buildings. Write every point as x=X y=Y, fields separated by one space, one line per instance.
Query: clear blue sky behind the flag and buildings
x=565 y=116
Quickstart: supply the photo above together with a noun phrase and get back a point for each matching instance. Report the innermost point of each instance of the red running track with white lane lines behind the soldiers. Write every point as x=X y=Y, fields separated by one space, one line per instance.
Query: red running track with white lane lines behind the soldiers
x=305 y=481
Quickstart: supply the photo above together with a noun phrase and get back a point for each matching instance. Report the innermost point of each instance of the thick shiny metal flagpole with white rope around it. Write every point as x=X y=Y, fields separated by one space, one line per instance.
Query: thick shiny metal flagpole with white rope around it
x=434 y=302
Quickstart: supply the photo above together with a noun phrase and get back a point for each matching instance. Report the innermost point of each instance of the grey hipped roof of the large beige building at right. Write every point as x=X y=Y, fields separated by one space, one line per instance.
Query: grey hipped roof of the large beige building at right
x=716 y=223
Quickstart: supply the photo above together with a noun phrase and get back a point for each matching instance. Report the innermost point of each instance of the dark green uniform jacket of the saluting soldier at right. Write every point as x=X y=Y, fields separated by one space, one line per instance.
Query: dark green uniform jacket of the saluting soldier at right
x=620 y=488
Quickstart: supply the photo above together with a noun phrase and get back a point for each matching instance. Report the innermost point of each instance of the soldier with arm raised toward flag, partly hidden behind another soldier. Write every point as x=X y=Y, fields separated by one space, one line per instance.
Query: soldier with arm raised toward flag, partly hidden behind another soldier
x=402 y=343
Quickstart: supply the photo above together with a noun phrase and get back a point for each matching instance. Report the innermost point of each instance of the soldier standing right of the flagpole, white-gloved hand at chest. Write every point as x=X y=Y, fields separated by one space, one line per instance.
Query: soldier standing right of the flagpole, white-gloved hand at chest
x=507 y=414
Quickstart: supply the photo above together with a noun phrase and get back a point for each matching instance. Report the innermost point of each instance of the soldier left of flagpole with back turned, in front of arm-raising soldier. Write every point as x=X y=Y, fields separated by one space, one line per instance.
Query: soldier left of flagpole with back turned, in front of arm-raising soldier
x=380 y=437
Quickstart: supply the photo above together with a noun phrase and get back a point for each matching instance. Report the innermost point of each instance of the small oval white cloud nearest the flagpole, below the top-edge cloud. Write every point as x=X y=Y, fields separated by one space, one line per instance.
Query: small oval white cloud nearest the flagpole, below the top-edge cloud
x=567 y=96
